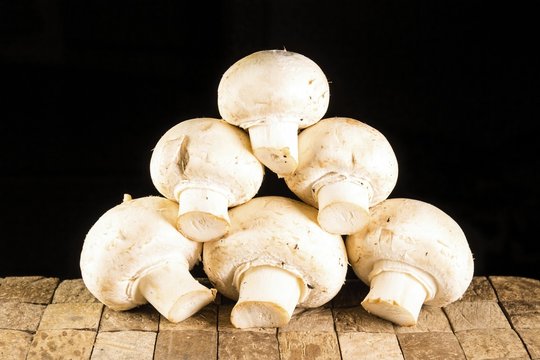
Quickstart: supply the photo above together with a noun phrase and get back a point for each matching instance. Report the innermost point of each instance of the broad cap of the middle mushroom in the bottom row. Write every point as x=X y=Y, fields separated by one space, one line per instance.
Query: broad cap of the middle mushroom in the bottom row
x=282 y=232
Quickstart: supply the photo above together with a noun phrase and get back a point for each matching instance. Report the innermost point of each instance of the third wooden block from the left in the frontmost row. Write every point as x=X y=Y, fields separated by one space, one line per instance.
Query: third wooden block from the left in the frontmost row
x=124 y=345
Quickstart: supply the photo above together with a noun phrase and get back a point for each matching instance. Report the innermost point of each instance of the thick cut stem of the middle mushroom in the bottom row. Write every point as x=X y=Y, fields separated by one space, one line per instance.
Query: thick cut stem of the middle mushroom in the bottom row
x=268 y=297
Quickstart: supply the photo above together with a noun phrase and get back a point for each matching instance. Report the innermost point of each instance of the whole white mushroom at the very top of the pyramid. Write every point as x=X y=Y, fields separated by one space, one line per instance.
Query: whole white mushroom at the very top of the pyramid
x=272 y=94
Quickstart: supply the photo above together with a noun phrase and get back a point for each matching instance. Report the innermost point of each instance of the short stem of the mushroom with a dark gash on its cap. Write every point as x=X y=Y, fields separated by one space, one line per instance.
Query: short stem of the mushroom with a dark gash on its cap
x=203 y=214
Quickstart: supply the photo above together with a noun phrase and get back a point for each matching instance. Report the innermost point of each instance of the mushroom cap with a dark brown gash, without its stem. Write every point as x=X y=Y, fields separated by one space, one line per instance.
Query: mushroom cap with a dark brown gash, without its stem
x=203 y=151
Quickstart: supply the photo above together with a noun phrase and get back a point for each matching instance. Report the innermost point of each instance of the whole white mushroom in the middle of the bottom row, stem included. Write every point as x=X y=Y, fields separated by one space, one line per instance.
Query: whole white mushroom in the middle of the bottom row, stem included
x=275 y=258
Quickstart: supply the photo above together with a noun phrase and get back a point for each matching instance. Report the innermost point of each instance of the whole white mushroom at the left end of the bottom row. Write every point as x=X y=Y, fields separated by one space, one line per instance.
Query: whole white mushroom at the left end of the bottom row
x=133 y=254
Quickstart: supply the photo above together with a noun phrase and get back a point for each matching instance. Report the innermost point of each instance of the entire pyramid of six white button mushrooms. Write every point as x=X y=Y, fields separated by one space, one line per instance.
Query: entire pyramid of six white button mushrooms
x=273 y=254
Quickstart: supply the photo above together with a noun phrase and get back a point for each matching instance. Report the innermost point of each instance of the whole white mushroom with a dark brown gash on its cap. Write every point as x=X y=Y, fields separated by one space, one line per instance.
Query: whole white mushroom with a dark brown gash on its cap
x=206 y=165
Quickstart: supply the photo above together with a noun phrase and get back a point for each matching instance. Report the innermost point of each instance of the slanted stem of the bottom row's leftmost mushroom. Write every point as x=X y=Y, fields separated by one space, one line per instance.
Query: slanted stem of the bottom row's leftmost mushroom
x=173 y=291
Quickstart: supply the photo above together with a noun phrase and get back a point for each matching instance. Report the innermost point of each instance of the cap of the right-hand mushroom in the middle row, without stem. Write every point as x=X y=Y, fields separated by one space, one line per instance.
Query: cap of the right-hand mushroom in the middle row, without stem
x=347 y=148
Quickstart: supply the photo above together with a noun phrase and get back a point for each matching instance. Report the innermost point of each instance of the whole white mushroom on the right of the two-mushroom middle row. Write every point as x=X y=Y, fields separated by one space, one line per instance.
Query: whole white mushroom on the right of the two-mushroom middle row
x=346 y=166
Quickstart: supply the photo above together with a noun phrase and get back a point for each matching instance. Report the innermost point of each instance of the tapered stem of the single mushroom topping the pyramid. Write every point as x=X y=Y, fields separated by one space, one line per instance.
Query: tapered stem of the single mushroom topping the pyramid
x=275 y=144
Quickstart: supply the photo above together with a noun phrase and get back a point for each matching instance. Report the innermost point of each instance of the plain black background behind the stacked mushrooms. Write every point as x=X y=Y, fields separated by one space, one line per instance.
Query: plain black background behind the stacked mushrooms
x=90 y=86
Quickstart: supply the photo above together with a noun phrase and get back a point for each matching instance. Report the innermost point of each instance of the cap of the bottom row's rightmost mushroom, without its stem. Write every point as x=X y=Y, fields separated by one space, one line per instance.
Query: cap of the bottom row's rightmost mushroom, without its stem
x=419 y=234
